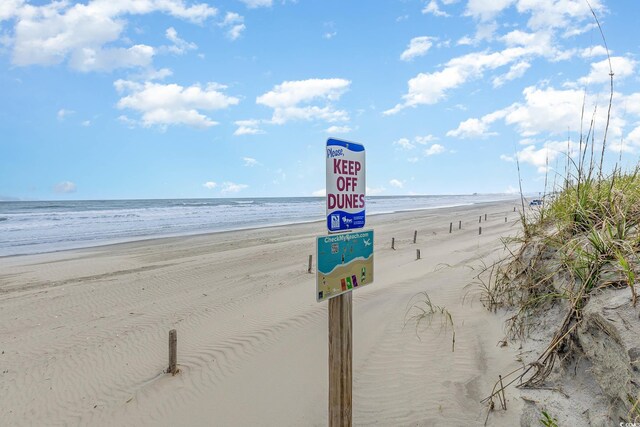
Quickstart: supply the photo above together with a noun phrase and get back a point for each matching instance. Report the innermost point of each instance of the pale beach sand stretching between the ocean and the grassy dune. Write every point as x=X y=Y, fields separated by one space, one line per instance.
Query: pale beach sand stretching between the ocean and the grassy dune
x=83 y=334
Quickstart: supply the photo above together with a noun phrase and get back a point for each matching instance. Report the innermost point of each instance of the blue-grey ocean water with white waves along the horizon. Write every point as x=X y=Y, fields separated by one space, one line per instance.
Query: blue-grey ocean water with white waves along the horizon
x=41 y=226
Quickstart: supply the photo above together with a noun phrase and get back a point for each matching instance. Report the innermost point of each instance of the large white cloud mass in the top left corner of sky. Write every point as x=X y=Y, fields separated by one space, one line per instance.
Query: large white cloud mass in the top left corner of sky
x=59 y=31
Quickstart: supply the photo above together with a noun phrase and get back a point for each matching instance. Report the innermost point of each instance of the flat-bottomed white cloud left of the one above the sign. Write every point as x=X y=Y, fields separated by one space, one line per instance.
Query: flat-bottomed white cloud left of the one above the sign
x=172 y=104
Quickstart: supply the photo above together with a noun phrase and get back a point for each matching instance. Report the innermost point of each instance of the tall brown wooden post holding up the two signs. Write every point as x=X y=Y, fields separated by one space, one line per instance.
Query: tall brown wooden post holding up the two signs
x=340 y=356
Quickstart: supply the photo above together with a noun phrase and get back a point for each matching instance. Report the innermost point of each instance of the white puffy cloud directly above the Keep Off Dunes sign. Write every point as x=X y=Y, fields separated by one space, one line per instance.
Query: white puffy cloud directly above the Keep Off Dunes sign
x=286 y=100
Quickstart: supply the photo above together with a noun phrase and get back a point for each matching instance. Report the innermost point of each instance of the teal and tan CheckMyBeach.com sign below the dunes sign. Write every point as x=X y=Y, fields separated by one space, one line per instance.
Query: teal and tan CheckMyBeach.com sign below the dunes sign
x=345 y=263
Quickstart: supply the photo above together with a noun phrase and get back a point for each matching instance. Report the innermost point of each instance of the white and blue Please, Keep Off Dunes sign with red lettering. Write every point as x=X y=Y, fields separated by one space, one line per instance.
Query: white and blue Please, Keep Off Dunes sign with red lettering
x=346 y=185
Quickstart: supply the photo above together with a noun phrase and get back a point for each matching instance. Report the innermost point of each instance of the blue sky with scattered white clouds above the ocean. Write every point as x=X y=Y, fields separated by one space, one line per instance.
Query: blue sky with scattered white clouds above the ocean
x=109 y=99
